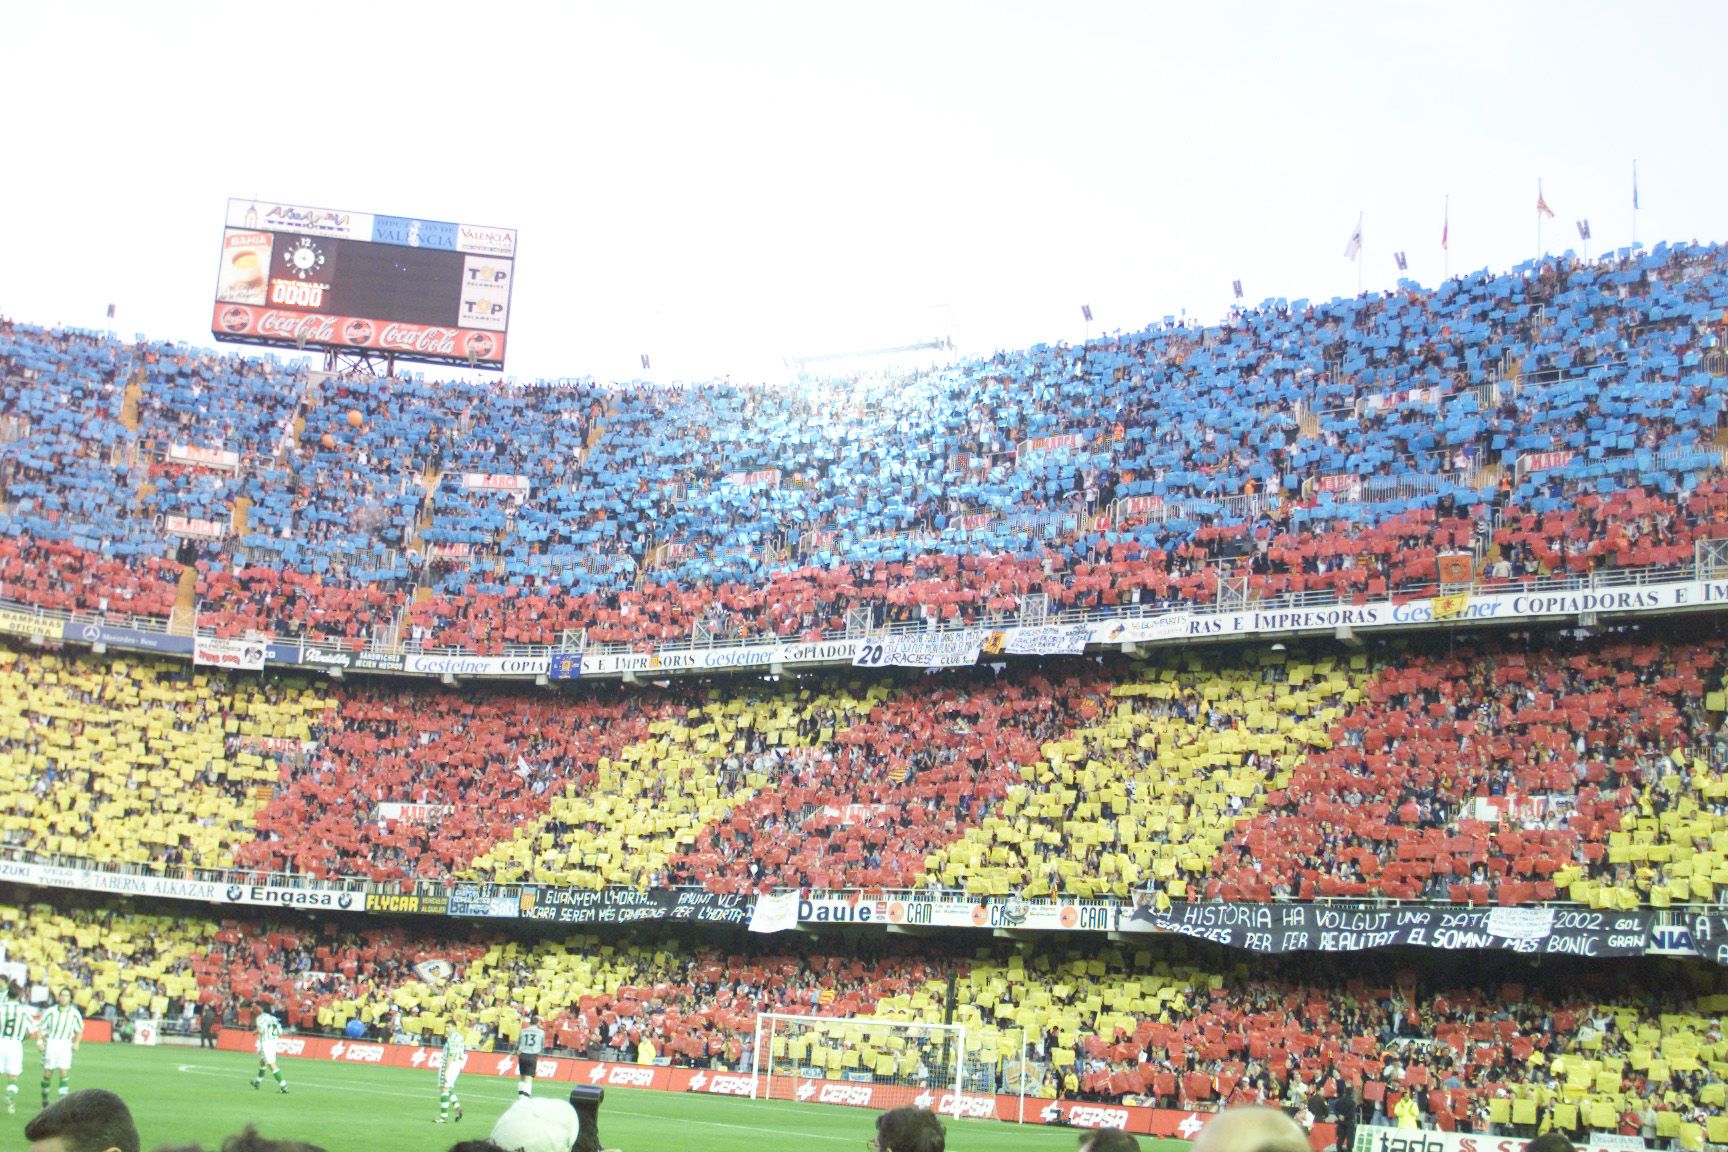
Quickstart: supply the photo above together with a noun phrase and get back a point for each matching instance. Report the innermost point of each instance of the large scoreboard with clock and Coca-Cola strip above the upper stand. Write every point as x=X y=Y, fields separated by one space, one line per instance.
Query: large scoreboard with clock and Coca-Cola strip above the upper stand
x=414 y=289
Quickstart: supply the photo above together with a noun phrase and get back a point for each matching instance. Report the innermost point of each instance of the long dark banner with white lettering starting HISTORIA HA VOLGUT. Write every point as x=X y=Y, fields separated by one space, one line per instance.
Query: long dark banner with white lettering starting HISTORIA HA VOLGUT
x=1359 y=927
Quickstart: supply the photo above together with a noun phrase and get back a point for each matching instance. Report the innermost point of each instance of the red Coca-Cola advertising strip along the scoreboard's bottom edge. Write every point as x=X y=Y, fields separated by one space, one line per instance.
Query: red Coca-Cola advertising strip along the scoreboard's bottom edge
x=289 y=327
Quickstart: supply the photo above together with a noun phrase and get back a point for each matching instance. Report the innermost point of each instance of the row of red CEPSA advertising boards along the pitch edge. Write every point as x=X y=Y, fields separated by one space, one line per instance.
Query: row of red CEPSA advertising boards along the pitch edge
x=1169 y=1124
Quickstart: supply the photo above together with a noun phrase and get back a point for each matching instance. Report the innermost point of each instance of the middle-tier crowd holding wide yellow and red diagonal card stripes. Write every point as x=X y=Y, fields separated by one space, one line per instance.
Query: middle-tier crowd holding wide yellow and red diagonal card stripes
x=1511 y=771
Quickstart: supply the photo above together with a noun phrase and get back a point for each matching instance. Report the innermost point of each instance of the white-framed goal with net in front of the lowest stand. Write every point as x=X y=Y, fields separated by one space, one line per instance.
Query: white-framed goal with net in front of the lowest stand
x=874 y=1063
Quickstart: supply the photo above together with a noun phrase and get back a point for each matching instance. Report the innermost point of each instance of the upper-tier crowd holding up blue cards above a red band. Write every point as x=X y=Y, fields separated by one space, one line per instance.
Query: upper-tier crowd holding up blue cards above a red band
x=1349 y=448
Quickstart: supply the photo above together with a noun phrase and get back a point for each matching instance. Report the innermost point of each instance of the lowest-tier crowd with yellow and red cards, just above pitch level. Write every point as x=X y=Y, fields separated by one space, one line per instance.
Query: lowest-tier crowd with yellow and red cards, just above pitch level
x=1477 y=1044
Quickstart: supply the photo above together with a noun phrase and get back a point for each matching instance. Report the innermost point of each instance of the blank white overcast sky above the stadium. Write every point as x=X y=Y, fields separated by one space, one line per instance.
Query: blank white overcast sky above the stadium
x=727 y=184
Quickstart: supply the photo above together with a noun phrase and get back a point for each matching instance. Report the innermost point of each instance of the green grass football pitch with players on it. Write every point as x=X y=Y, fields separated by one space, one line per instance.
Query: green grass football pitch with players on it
x=189 y=1096
